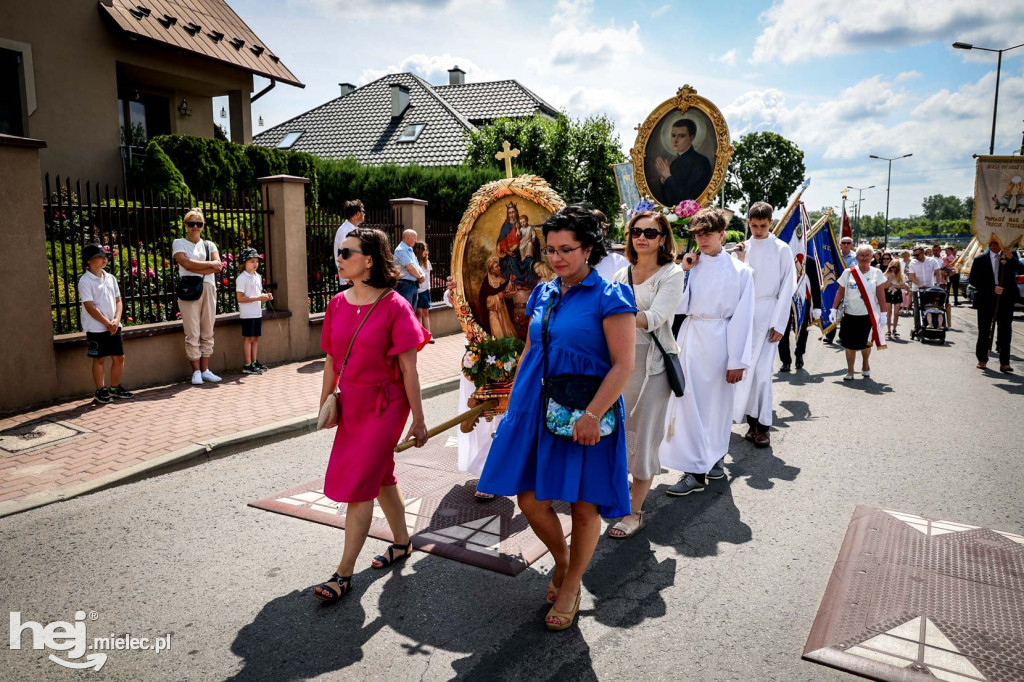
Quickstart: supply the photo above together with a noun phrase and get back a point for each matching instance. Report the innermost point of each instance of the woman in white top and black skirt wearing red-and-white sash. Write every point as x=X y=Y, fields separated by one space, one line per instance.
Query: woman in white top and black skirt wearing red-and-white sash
x=863 y=289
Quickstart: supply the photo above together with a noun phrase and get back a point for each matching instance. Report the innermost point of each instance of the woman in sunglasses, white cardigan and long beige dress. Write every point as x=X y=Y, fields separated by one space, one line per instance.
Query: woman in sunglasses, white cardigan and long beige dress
x=658 y=288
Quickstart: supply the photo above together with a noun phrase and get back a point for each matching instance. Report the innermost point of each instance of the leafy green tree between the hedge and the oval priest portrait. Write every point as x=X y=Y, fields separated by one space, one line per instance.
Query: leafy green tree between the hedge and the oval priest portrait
x=574 y=155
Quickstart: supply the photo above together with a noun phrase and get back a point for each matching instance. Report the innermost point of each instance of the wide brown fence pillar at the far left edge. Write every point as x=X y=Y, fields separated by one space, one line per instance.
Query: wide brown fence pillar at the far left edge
x=28 y=364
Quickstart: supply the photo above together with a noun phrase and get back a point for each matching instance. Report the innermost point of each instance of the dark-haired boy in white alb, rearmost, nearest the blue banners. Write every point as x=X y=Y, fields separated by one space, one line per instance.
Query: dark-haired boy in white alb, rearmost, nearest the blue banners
x=775 y=285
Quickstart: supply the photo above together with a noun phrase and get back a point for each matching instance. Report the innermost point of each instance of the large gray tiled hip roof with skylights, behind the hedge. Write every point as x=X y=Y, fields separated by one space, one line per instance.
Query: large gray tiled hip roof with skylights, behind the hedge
x=360 y=125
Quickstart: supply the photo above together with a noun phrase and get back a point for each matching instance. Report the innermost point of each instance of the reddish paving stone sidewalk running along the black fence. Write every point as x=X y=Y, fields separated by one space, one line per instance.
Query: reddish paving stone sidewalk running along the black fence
x=69 y=449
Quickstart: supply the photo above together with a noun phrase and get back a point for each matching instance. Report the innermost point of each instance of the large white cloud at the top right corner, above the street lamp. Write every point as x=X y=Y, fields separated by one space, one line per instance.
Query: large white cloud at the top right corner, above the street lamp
x=801 y=30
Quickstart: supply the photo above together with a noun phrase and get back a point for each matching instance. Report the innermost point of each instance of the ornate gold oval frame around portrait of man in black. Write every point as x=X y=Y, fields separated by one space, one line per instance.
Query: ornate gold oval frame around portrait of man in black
x=686 y=100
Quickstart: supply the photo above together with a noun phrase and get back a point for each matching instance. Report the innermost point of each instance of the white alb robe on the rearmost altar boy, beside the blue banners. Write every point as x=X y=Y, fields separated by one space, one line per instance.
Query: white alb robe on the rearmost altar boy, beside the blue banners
x=775 y=285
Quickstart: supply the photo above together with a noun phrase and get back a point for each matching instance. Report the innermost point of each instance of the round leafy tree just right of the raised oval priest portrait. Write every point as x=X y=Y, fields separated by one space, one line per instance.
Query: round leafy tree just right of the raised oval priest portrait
x=764 y=167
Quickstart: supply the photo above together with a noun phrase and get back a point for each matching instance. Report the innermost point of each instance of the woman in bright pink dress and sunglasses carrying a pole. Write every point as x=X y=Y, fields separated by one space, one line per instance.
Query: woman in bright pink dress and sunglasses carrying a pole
x=378 y=388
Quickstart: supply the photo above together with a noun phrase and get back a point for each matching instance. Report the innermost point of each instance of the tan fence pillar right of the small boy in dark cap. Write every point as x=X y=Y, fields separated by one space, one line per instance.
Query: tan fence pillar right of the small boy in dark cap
x=287 y=257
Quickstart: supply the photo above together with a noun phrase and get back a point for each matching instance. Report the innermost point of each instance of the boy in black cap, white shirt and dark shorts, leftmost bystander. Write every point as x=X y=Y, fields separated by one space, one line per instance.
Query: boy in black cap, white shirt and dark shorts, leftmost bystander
x=102 y=309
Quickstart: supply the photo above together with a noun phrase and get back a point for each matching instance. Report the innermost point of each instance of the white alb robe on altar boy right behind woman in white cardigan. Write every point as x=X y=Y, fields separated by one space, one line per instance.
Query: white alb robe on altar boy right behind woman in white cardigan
x=716 y=337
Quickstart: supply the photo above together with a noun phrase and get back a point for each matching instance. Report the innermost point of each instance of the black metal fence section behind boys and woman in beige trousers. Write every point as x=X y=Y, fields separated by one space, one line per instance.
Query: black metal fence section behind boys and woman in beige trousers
x=138 y=229
